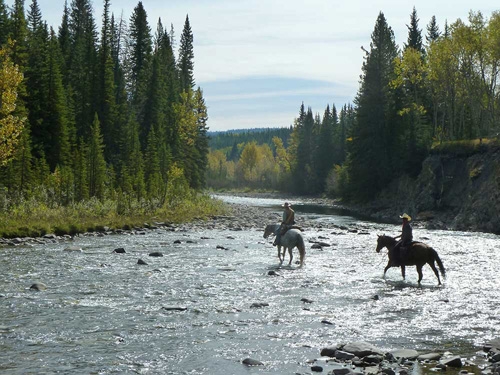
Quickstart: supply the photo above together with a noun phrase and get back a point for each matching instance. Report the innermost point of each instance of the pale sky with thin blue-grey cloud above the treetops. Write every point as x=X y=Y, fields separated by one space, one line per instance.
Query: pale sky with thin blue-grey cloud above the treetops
x=257 y=61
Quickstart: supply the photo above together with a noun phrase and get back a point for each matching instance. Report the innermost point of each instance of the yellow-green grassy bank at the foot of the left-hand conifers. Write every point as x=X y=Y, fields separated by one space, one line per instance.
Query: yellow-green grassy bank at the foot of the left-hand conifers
x=33 y=219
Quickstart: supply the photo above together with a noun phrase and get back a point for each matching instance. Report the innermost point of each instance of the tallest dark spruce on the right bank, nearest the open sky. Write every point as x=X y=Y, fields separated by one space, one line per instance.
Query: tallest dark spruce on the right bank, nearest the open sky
x=369 y=164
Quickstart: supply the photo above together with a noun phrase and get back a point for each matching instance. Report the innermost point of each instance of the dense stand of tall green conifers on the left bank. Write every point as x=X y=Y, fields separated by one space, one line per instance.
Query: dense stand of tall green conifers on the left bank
x=97 y=115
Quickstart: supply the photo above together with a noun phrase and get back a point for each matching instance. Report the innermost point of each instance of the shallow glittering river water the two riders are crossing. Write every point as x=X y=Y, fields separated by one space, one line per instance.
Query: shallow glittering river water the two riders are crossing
x=102 y=313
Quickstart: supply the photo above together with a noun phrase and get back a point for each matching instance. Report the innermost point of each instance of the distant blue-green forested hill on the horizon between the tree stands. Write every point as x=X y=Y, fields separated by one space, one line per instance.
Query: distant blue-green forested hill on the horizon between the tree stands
x=226 y=139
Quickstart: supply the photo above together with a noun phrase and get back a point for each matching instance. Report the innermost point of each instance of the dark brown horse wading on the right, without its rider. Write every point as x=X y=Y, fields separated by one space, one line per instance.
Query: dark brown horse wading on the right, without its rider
x=417 y=254
